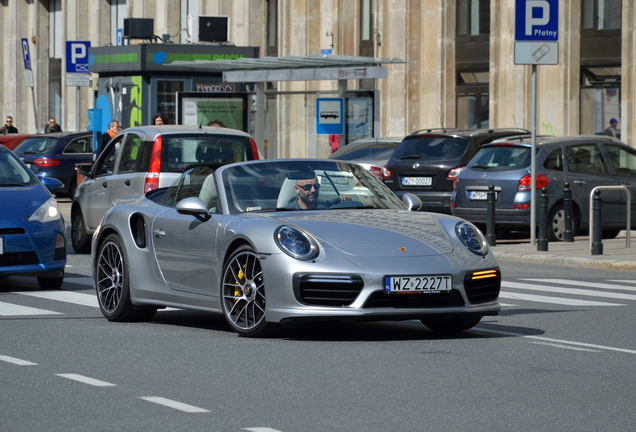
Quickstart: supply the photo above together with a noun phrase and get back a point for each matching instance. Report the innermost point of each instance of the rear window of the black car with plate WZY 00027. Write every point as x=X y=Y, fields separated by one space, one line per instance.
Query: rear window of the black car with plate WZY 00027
x=431 y=148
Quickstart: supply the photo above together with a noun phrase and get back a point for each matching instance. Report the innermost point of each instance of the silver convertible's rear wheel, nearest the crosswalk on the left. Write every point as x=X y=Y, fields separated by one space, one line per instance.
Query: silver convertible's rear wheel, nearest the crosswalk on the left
x=113 y=283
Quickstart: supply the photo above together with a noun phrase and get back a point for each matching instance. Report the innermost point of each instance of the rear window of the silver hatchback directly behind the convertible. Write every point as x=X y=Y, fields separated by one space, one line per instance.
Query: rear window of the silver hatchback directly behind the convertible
x=179 y=151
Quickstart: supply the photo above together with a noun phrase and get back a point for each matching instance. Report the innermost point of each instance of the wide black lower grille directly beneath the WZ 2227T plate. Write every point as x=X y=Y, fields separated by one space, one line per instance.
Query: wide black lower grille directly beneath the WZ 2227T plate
x=405 y=301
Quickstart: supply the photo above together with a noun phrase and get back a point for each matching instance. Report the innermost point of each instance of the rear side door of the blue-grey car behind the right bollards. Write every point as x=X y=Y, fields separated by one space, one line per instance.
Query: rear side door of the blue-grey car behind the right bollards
x=587 y=169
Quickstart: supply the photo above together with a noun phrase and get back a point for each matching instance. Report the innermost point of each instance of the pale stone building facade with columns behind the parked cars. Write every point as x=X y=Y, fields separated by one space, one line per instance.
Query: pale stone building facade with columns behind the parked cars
x=460 y=53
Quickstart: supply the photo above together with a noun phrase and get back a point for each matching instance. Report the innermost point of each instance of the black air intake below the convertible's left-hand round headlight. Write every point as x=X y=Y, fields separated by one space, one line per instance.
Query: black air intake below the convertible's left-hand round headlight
x=328 y=290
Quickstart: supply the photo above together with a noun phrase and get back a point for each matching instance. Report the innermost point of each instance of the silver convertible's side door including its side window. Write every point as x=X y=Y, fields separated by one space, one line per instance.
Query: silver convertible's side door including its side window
x=185 y=245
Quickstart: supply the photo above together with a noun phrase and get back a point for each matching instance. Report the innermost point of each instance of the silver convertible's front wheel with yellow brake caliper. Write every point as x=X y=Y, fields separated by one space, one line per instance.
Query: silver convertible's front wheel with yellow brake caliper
x=243 y=294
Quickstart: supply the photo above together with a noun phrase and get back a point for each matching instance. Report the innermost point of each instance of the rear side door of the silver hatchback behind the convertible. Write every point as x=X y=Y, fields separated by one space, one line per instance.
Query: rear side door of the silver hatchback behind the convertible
x=123 y=183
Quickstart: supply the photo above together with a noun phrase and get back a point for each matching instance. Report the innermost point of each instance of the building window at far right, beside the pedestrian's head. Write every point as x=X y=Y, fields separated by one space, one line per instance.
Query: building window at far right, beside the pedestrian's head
x=600 y=99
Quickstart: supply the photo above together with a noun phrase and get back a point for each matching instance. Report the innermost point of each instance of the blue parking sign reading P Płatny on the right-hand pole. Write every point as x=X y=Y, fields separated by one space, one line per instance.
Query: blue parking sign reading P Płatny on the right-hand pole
x=537 y=20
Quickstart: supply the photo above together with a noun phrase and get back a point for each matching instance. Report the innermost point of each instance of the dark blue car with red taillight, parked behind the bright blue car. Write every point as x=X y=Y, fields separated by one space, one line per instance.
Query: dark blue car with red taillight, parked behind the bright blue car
x=55 y=155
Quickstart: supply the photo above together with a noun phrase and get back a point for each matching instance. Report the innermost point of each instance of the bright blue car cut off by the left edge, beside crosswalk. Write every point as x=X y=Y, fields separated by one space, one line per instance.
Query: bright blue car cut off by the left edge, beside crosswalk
x=32 y=239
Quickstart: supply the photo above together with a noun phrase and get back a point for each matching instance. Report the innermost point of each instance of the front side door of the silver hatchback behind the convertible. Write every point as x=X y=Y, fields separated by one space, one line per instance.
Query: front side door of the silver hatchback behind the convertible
x=95 y=199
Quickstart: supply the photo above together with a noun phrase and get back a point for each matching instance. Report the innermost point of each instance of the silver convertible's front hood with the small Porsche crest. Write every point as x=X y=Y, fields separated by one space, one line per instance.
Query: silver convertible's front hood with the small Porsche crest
x=374 y=233
